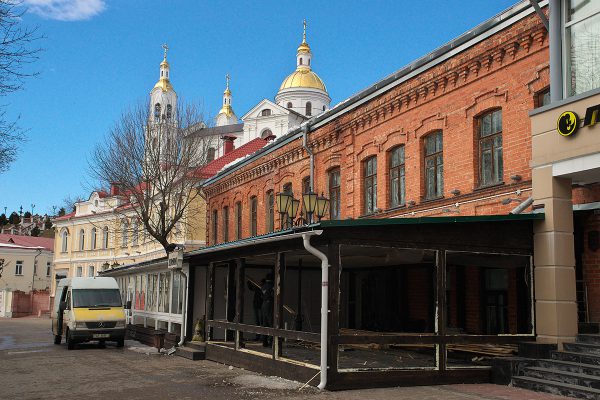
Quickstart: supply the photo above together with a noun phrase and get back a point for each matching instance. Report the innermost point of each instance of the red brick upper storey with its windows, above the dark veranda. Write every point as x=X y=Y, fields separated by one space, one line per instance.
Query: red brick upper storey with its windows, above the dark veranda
x=473 y=100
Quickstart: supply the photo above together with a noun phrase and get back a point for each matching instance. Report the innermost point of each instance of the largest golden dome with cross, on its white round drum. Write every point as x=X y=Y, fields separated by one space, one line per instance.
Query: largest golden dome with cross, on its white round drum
x=303 y=91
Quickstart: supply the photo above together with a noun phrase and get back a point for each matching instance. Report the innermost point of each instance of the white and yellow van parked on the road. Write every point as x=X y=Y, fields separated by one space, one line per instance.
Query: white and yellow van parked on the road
x=88 y=309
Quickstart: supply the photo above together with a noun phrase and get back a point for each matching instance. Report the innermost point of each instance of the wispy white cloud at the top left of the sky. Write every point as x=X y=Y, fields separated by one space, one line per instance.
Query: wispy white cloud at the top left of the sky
x=66 y=10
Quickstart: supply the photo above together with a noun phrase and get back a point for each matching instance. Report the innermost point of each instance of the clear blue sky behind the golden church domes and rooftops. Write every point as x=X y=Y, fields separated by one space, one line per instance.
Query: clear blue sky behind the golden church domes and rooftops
x=101 y=56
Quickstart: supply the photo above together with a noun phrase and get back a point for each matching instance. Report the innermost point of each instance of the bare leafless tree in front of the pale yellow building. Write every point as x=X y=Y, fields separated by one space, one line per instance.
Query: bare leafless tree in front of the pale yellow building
x=153 y=164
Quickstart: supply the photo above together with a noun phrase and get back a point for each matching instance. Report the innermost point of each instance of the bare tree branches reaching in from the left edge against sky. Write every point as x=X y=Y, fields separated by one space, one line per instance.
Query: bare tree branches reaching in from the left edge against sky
x=16 y=52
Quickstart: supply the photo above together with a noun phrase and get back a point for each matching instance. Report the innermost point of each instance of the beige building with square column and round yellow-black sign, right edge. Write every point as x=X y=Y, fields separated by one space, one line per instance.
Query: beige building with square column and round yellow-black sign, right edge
x=566 y=176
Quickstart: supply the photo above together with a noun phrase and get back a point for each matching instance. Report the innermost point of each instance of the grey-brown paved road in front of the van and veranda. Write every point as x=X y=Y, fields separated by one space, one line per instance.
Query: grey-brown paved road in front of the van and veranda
x=31 y=367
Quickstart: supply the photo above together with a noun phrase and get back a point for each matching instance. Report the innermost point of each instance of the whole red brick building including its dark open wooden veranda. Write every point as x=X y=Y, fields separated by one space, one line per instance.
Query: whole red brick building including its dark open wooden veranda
x=447 y=137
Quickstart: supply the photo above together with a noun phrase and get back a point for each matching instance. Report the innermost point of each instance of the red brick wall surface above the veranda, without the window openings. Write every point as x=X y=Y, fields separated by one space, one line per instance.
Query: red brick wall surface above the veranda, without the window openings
x=505 y=72
